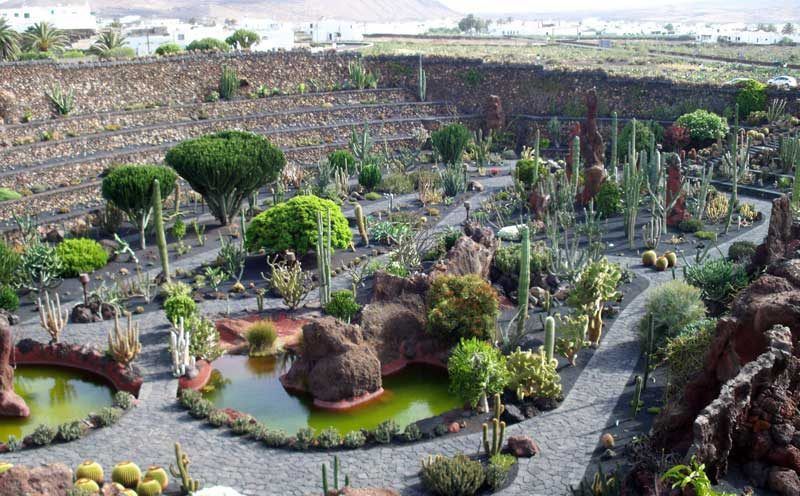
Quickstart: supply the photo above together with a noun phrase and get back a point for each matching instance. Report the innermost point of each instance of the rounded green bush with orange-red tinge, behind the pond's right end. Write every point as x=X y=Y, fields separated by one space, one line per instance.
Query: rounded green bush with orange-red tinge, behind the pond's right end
x=462 y=306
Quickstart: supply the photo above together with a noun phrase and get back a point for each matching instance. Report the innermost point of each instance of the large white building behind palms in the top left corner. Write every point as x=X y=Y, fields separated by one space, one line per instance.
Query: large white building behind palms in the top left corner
x=63 y=14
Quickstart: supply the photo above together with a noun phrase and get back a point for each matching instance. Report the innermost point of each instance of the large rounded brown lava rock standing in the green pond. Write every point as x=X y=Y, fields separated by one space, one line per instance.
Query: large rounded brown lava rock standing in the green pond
x=337 y=364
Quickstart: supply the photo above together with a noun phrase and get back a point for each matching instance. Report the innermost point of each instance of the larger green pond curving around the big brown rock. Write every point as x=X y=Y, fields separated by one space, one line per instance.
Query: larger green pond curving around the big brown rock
x=251 y=385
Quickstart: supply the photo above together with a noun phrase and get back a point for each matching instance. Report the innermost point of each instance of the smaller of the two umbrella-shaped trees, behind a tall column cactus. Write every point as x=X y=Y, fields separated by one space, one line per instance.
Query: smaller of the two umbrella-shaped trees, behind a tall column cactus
x=129 y=188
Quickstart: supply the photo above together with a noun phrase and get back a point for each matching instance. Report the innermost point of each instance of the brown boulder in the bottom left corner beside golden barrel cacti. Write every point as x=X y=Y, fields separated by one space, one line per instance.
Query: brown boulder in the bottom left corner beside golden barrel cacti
x=47 y=480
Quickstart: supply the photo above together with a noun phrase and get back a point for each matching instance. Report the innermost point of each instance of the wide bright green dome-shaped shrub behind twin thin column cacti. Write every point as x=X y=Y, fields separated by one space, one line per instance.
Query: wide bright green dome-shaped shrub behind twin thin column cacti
x=292 y=225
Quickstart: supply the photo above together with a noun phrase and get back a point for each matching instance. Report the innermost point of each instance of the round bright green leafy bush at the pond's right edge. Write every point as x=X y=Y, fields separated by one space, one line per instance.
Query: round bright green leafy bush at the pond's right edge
x=477 y=369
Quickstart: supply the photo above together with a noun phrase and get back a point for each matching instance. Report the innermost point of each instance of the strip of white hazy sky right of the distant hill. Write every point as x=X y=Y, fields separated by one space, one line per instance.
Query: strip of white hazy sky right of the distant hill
x=532 y=6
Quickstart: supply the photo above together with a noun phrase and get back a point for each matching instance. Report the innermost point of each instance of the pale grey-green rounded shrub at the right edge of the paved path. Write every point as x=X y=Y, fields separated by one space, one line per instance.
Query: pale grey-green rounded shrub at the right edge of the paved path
x=673 y=305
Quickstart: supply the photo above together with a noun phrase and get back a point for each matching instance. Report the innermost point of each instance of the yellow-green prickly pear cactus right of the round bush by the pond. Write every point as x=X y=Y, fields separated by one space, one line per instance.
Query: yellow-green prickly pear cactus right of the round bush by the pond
x=533 y=375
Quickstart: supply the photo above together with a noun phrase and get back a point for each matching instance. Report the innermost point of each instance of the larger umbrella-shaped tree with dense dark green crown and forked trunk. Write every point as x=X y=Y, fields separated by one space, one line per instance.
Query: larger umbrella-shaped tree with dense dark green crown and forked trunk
x=227 y=167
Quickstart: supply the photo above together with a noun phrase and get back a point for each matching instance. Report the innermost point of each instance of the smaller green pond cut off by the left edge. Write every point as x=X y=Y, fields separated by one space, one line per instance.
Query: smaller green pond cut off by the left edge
x=55 y=395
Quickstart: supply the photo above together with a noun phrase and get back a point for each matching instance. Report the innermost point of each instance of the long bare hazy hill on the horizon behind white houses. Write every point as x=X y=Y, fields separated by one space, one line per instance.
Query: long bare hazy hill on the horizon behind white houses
x=287 y=10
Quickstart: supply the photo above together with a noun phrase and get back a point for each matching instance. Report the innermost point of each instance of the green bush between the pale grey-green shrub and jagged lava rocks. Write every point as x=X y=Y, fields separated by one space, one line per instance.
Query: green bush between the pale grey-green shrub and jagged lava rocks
x=685 y=356
